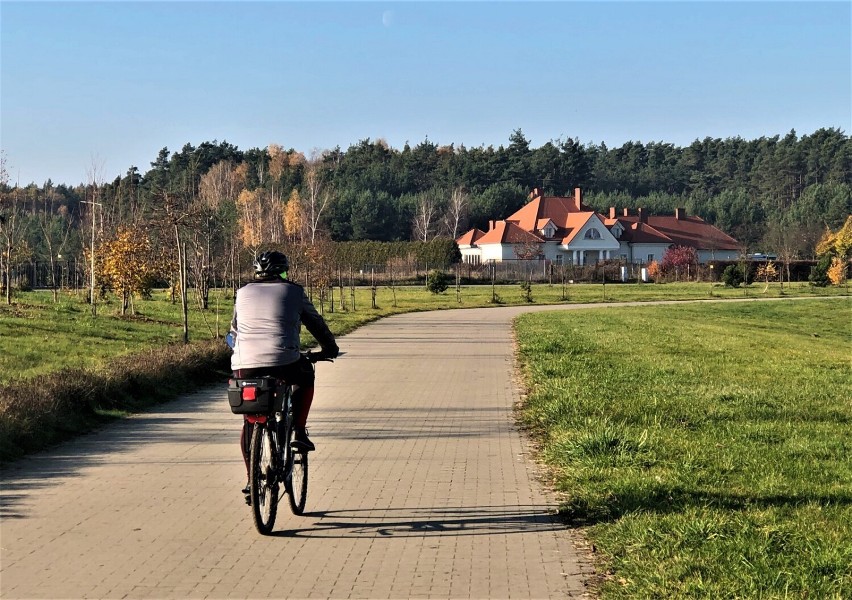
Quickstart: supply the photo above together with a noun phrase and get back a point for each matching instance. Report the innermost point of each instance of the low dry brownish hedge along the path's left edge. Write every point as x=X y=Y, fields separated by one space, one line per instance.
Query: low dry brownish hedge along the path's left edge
x=39 y=412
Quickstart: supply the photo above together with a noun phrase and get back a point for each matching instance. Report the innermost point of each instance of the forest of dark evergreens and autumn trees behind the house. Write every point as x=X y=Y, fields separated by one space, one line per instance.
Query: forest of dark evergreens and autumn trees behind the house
x=216 y=204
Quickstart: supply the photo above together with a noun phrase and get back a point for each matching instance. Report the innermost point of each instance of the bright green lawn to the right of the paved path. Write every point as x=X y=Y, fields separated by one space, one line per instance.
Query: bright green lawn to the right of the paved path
x=707 y=447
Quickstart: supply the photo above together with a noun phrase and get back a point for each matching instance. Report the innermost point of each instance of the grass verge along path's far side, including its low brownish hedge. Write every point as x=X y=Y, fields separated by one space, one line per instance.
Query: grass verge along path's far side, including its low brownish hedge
x=60 y=366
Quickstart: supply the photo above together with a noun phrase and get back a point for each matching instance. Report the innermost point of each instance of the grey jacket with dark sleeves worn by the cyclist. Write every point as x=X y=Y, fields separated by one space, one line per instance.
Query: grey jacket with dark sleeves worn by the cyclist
x=268 y=316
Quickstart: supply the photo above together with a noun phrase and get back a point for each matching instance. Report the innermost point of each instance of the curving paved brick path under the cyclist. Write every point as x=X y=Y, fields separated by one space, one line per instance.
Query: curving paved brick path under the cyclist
x=421 y=488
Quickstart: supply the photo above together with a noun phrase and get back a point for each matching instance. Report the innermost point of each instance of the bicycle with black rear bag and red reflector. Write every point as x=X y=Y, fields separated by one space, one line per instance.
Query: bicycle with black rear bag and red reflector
x=266 y=403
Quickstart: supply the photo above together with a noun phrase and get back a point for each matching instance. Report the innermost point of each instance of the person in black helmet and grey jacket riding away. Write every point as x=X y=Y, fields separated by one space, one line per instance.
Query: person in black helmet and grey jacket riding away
x=268 y=315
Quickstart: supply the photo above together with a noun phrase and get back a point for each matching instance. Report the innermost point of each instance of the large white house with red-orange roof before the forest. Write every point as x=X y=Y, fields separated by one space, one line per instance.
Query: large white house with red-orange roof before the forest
x=566 y=231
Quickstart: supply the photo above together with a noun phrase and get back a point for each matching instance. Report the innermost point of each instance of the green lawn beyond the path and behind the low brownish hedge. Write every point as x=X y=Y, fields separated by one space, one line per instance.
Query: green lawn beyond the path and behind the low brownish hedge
x=38 y=336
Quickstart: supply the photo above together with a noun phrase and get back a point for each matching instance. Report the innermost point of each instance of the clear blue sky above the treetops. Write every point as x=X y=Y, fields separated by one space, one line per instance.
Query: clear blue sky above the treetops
x=108 y=84
